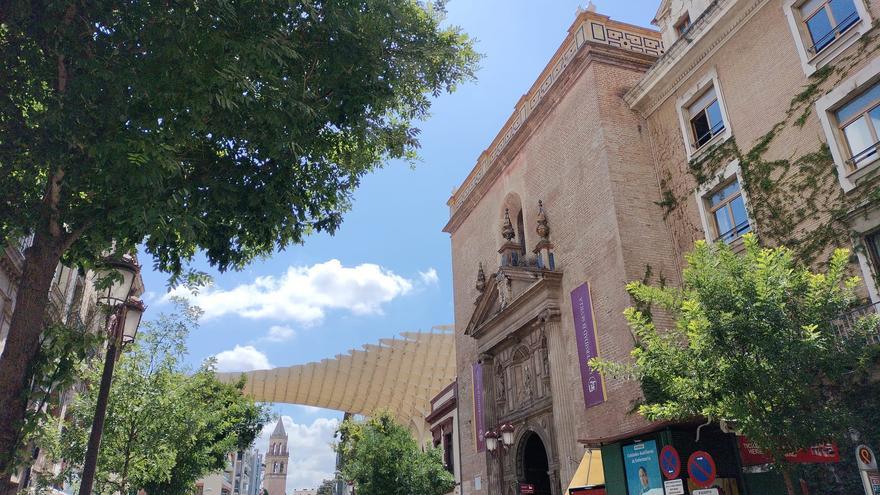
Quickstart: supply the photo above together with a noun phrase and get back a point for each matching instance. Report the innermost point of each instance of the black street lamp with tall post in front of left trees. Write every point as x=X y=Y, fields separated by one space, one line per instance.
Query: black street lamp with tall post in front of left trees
x=124 y=313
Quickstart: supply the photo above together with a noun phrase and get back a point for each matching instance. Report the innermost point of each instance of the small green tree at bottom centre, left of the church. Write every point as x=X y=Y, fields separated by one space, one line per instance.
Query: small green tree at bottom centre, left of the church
x=382 y=458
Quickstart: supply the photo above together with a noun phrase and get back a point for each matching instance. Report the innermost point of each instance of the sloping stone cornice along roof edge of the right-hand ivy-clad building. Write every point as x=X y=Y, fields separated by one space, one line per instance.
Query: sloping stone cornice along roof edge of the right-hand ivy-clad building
x=718 y=23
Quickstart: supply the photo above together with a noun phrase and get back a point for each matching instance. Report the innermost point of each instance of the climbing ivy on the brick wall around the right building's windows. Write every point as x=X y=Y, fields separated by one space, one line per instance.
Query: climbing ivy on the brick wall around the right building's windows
x=795 y=201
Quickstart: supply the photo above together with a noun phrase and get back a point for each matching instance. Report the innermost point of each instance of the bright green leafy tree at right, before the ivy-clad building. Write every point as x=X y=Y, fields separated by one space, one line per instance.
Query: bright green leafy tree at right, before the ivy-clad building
x=754 y=343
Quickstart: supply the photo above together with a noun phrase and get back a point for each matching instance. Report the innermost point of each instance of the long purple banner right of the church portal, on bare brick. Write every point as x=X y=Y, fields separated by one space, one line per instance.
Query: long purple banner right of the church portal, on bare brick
x=588 y=347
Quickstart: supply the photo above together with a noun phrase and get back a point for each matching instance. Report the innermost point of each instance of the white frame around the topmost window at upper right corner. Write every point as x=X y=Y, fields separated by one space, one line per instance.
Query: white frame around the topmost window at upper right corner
x=797 y=23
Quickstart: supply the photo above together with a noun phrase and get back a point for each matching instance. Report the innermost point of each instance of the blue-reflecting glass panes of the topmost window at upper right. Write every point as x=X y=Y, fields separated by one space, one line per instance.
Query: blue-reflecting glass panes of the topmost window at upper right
x=827 y=20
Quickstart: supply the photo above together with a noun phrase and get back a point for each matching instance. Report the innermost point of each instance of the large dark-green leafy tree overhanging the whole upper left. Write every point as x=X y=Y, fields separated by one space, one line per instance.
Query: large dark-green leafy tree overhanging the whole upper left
x=231 y=128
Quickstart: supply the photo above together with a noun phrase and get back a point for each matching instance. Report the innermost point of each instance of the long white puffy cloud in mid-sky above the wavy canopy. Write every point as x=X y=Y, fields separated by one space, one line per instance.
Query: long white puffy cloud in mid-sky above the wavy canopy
x=303 y=294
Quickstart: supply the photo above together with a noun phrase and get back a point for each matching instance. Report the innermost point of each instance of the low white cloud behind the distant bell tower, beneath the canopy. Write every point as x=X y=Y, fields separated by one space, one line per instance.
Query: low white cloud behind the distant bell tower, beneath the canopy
x=312 y=459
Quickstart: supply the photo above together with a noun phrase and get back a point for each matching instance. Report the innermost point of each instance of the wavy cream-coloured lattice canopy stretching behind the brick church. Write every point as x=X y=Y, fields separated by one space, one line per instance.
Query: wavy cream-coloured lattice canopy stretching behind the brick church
x=401 y=374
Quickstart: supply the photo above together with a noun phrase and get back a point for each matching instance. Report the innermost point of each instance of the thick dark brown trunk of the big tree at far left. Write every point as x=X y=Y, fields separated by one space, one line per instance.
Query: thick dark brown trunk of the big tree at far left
x=22 y=345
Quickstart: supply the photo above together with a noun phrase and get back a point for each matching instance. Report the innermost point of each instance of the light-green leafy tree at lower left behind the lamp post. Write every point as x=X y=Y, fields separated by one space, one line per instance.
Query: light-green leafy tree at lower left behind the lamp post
x=165 y=428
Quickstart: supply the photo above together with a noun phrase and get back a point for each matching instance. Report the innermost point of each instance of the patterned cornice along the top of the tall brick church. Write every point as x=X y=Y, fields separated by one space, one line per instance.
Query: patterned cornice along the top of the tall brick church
x=628 y=43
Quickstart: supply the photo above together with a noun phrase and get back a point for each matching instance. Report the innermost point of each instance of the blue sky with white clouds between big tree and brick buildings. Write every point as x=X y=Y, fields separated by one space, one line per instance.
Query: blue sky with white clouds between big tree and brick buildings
x=294 y=307
